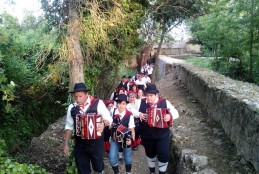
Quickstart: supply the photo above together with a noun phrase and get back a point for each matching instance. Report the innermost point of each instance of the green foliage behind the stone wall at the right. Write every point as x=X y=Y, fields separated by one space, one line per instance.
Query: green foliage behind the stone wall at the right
x=229 y=32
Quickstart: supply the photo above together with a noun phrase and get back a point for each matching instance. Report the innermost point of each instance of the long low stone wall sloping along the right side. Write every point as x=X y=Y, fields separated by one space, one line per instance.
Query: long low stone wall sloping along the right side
x=234 y=104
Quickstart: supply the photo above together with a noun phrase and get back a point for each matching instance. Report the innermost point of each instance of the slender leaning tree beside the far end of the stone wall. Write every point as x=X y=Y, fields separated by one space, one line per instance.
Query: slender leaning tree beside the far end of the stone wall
x=162 y=17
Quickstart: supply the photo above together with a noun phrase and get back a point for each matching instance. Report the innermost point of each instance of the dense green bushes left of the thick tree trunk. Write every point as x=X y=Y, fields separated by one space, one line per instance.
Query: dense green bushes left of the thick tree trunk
x=32 y=94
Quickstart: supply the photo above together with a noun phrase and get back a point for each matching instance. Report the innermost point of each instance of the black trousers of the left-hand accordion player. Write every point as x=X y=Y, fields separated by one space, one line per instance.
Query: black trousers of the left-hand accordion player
x=89 y=151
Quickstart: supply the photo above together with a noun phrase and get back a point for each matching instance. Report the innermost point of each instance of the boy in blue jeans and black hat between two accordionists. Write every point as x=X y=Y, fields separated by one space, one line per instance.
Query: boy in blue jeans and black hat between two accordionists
x=122 y=120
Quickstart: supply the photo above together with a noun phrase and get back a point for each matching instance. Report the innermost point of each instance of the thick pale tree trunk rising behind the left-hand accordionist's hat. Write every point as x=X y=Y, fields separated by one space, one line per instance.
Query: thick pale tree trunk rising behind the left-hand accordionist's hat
x=76 y=61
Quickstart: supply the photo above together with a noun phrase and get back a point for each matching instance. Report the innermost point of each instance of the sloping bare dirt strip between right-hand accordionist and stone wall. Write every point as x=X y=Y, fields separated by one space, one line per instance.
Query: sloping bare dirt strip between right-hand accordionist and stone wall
x=195 y=130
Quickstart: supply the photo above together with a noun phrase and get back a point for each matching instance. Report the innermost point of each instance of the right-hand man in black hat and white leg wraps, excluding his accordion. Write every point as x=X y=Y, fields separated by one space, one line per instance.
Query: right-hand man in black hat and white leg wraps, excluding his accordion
x=156 y=140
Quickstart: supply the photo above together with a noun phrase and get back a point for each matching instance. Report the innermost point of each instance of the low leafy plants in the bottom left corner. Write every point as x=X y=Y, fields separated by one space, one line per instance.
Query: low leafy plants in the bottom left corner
x=8 y=166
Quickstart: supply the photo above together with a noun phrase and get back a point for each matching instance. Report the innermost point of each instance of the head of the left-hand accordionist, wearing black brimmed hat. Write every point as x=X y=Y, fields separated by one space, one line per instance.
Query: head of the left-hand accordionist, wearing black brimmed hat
x=80 y=93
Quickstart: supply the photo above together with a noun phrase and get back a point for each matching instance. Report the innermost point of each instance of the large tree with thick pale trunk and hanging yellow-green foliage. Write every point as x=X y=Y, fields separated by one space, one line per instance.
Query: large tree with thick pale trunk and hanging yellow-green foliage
x=99 y=36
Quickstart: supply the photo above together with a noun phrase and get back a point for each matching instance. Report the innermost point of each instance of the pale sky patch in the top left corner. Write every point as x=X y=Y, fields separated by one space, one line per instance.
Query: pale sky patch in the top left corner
x=17 y=7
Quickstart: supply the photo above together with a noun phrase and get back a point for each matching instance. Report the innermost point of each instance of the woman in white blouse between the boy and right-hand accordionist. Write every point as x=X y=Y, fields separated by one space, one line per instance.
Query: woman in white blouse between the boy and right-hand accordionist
x=133 y=106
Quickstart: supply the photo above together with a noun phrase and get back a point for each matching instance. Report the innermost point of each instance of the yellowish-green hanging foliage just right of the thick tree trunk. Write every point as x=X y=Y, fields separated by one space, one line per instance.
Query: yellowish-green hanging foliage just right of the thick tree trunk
x=108 y=40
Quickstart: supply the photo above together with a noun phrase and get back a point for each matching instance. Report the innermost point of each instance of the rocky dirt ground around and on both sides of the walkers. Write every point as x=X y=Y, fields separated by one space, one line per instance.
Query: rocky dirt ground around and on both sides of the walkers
x=197 y=138
